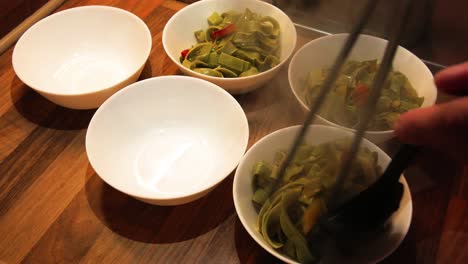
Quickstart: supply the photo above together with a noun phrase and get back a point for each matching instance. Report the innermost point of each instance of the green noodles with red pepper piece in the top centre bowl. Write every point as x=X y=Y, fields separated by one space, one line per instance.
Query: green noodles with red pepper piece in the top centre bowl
x=235 y=45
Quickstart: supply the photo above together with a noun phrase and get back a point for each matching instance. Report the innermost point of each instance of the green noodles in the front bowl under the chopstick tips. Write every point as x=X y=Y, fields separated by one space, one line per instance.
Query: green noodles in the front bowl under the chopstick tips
x=289 y=209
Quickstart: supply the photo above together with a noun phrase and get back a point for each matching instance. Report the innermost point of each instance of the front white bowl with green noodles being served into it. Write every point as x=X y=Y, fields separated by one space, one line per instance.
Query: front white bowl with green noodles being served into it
x=284 y=213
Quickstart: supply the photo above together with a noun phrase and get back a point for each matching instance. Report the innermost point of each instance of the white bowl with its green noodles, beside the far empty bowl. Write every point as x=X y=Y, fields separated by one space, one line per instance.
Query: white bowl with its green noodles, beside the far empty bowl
x=238 y=45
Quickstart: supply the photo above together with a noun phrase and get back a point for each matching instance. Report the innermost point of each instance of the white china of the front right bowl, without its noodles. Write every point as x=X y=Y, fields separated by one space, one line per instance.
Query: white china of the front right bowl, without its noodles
x=282 y=139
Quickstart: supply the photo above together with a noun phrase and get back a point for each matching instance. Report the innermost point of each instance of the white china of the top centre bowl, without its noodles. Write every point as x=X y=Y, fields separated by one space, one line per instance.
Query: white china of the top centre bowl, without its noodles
x=178 y=35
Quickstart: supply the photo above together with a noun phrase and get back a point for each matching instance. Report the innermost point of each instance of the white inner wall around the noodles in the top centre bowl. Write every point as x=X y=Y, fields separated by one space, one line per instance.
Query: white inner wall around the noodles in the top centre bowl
x=178 y=34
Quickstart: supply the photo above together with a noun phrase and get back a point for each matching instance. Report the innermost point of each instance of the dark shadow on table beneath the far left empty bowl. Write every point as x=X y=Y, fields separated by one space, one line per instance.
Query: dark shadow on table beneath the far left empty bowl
x=44 y=113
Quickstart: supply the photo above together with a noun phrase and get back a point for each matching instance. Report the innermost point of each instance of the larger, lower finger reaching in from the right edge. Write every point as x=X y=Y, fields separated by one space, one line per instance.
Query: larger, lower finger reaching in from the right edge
x=438 y=126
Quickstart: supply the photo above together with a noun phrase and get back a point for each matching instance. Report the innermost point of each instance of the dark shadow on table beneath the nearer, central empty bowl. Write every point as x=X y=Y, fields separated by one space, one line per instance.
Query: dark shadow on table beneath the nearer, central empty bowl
x=147 y=223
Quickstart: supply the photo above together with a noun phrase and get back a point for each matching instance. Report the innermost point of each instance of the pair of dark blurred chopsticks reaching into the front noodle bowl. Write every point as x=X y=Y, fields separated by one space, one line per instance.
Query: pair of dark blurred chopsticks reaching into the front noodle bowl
x=371 y=103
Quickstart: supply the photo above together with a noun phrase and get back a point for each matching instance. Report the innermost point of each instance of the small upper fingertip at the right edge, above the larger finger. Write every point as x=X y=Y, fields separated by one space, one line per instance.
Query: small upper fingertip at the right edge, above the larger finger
x=453 y=80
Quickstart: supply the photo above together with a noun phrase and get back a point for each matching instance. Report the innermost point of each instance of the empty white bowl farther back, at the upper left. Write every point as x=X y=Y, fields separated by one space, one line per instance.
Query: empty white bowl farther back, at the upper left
x=79 y=57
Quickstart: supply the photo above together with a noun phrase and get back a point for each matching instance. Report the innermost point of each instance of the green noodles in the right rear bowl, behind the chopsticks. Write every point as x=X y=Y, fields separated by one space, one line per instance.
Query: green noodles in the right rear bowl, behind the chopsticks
x=345 y=103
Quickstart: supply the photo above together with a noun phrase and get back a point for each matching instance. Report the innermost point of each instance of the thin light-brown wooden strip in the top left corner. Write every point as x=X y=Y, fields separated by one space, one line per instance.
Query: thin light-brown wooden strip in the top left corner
x=16 y=33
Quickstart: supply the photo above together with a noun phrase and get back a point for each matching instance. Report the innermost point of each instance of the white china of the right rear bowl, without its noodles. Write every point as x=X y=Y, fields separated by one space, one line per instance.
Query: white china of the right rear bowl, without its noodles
x=321 y=53
